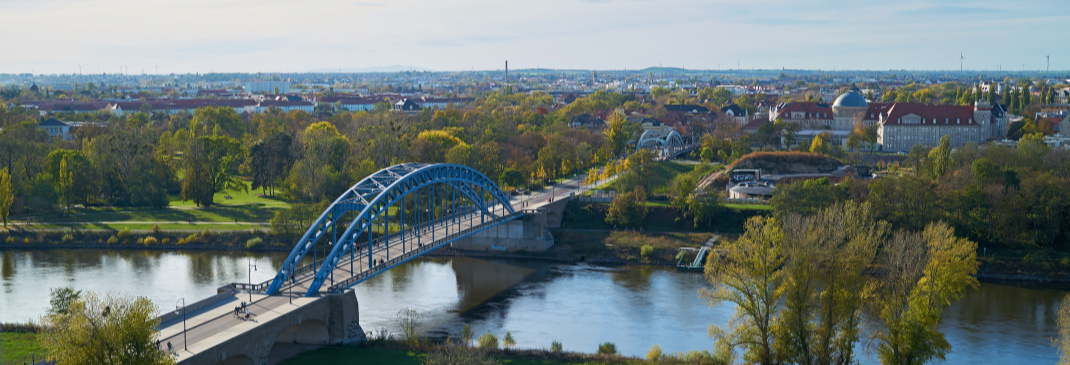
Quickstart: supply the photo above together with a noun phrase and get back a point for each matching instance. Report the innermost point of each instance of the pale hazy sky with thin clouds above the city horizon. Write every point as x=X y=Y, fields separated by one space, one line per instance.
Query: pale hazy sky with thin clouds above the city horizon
x=271 y=36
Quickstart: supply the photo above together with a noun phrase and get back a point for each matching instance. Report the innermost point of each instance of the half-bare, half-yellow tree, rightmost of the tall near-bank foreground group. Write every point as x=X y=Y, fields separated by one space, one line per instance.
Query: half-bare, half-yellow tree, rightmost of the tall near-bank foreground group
x=924 y=273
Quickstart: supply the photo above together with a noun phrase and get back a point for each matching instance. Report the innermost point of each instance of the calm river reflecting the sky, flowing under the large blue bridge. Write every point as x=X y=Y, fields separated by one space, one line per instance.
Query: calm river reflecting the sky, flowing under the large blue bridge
x=579 y=306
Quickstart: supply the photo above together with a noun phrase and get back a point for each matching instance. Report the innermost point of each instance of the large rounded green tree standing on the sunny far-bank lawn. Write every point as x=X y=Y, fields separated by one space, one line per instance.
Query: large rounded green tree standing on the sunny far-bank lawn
x=210 y=169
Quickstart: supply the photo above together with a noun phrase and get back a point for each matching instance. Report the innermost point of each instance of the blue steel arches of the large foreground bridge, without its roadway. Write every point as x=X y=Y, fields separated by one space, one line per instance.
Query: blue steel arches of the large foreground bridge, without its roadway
x=374 y=196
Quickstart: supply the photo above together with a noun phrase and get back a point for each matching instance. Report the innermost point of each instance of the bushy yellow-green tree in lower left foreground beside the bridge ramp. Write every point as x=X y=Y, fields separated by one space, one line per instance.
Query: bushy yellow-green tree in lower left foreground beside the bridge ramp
x=105 y=330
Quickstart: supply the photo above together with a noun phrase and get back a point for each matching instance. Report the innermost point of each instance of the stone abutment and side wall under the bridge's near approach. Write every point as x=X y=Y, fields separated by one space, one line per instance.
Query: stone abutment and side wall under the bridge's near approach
x=332 y=320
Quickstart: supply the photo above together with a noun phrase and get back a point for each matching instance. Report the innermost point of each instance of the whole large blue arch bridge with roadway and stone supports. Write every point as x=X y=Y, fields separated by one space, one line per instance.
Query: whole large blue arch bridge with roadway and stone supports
x=392 y=217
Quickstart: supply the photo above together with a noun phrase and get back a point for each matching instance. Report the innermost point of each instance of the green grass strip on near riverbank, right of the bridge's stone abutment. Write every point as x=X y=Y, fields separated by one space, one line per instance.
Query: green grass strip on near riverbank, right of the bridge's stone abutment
x=358 y=356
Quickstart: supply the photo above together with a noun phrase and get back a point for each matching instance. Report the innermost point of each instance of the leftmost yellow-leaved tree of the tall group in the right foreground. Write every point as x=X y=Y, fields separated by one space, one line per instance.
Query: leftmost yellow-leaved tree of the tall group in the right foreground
x=747 y=275
